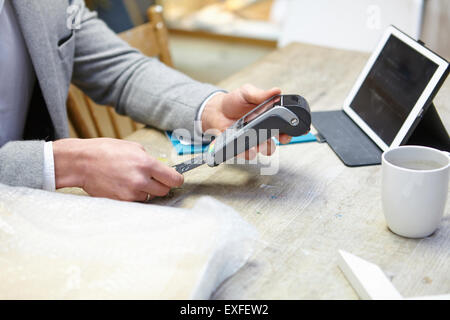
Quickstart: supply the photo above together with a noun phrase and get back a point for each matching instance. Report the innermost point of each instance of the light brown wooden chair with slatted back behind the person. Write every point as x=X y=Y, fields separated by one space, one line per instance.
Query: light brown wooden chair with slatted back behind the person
x=90 y=120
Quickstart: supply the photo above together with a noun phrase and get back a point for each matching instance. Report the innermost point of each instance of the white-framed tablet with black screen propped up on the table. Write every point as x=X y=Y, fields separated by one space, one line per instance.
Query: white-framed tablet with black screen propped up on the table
x=396 y=85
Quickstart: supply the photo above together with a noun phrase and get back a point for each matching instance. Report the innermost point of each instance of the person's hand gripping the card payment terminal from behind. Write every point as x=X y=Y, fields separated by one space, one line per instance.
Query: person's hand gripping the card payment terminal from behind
x=225 y=108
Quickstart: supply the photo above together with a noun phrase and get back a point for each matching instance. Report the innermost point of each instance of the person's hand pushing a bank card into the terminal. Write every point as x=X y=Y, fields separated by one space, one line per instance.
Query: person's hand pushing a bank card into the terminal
x=112 y=168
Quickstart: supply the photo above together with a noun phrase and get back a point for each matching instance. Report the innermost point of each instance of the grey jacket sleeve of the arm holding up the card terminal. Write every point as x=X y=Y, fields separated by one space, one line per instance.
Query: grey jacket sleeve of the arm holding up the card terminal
x=113 y=73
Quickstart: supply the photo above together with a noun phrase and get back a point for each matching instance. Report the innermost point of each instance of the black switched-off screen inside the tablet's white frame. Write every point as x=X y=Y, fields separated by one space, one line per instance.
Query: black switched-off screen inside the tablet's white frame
x=392 y=87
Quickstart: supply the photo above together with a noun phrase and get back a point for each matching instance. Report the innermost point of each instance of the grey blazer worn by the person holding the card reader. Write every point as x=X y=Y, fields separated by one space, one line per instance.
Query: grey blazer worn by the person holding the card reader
x=105 y=68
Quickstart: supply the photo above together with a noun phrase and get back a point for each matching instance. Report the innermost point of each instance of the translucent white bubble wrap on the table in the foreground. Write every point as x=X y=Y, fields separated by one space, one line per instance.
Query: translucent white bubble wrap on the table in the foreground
x=60 y=246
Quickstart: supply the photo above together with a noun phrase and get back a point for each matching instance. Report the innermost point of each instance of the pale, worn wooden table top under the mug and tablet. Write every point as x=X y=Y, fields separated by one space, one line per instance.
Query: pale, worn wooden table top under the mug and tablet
x=314 y=205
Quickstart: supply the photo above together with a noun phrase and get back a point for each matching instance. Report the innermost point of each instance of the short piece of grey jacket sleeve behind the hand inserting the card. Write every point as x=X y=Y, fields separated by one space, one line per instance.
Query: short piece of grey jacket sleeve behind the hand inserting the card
x=22 y=164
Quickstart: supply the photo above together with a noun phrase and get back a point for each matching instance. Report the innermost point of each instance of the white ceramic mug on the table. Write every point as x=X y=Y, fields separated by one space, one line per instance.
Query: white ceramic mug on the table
x=414 y=189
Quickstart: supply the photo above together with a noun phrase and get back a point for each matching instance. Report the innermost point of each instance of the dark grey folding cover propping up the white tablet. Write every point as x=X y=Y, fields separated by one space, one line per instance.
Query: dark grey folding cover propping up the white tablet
x=355 y=148
